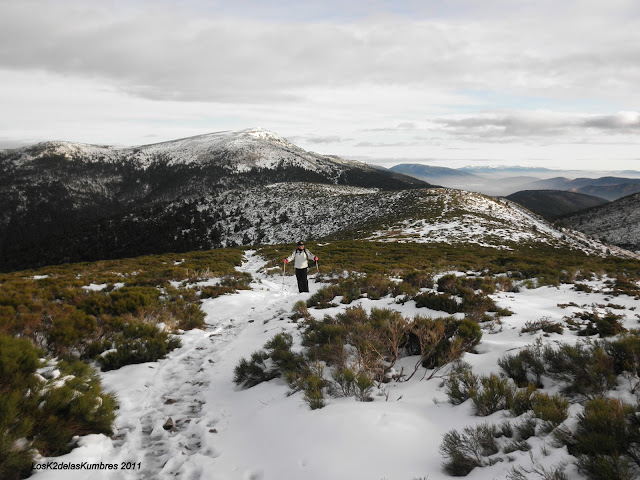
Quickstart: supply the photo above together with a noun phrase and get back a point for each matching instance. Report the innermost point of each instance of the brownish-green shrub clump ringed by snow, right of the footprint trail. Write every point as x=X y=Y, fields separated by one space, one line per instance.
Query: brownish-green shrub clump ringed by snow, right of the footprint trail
x=360 y=350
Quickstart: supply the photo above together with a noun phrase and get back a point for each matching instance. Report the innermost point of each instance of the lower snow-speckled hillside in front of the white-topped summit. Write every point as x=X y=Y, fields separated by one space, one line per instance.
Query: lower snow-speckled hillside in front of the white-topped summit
x=285 y=212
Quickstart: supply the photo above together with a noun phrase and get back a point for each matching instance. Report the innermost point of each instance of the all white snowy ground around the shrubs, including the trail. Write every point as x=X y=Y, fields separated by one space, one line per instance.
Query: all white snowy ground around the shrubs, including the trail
x=222 y=432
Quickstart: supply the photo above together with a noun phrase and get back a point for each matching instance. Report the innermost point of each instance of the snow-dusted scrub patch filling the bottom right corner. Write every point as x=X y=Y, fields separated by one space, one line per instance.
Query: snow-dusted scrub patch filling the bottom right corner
x=604 y=439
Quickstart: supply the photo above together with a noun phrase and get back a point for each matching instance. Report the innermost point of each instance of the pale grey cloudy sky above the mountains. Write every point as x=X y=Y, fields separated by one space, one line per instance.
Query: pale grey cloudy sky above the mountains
x=449 y=82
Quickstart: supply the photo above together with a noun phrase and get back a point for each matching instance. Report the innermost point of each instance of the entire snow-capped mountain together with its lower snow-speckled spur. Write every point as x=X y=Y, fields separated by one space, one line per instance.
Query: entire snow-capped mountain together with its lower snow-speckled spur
x=71 y=202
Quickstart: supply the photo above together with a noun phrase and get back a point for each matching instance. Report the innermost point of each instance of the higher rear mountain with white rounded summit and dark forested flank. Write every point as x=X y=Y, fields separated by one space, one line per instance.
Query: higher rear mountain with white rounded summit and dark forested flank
x=61 y=192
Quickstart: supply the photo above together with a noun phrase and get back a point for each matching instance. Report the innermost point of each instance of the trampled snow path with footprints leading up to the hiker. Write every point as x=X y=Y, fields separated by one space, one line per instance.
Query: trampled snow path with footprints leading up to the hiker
x=178 y=387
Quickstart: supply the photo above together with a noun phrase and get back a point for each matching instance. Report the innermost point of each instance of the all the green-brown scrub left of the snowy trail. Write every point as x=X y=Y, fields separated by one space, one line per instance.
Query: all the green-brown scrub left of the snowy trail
x=114 y=312
